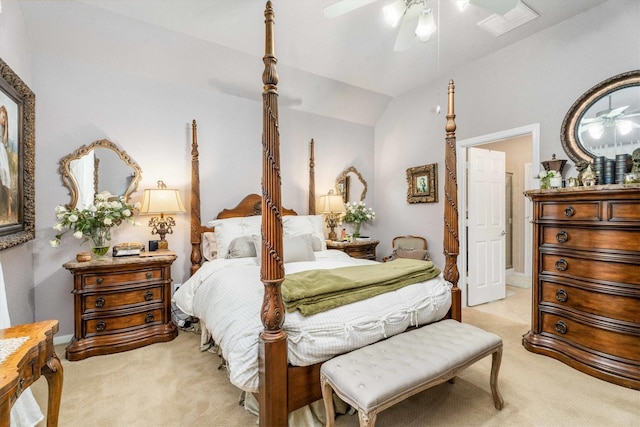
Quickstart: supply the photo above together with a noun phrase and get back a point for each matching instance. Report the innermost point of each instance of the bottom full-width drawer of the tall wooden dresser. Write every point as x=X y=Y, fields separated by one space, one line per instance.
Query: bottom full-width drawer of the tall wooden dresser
x=618 y=344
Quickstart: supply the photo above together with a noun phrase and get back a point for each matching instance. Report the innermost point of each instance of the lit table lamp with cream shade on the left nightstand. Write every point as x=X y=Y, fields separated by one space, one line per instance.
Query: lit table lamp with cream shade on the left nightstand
x=161 y=201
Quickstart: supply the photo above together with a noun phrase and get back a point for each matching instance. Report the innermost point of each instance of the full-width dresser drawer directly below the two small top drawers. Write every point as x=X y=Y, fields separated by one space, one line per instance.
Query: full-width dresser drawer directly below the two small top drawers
x=591 y=238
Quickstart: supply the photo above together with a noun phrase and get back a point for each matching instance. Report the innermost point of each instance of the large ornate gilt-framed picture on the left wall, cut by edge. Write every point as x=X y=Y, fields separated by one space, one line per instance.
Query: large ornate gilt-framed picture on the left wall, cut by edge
x=17 y=159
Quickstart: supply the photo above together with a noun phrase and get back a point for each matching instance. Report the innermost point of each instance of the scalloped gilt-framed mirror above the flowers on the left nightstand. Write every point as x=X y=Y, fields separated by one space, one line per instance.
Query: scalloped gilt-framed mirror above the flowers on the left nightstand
x=98 y=167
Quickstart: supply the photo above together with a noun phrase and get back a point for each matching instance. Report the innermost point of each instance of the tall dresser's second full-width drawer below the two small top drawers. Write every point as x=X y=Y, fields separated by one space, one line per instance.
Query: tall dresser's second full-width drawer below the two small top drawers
x=590 y=269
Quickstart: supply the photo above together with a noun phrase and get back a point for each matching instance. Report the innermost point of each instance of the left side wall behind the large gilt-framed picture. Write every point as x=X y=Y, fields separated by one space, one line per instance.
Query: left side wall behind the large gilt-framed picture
x=17 y=262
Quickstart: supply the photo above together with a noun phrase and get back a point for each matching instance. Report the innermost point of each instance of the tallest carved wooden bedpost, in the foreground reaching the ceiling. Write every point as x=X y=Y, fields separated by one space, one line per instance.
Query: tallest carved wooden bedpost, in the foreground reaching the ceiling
x=273 y=340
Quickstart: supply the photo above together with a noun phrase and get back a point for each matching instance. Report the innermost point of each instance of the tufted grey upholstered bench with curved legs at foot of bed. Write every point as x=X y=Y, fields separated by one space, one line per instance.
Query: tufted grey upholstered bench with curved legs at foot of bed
x=375 y=377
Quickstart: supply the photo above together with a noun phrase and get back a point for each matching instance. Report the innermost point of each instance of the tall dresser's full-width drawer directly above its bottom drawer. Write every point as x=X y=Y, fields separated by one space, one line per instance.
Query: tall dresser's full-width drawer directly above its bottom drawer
x=625 y=308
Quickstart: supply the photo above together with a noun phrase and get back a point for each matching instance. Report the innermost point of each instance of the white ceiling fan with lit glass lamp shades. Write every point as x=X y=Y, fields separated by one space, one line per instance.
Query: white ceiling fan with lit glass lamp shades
x=414 y=17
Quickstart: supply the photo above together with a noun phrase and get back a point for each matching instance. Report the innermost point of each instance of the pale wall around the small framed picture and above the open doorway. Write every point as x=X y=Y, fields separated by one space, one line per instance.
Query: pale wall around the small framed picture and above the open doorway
x=534 y=81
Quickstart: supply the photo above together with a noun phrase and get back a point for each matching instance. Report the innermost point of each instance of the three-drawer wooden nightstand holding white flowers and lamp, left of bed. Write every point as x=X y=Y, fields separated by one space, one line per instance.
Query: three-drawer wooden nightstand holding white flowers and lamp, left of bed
x=120 y=304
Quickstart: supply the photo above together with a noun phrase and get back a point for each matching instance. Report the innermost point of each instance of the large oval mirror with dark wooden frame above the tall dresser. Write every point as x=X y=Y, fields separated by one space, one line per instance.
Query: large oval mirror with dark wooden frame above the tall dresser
x=605 y=121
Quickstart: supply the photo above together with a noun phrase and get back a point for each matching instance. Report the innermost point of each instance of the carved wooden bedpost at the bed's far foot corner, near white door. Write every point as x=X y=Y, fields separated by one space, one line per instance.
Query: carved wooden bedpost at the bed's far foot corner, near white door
x=451 y=237
